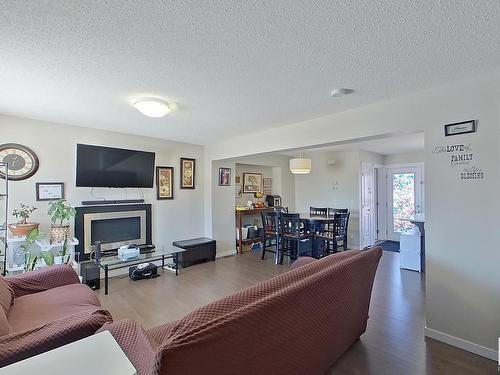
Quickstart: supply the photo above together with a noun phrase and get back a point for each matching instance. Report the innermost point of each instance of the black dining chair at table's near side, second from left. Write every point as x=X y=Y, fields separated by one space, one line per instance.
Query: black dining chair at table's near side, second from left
x=296 y=237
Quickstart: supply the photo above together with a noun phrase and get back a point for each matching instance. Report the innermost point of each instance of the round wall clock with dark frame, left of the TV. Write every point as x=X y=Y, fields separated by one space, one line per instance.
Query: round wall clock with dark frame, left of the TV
x=22 y=163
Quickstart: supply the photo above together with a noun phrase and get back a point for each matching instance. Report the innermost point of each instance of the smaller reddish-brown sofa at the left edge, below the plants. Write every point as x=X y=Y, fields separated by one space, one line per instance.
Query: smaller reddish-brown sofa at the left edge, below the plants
x=45 y=309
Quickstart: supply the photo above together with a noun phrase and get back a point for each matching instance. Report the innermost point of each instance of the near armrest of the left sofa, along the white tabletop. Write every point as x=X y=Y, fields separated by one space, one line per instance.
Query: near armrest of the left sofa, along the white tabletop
x=20 y=345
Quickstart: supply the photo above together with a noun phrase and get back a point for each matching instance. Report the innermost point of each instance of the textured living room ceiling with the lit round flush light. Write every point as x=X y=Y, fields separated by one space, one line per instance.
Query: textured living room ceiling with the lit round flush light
x=232 y=66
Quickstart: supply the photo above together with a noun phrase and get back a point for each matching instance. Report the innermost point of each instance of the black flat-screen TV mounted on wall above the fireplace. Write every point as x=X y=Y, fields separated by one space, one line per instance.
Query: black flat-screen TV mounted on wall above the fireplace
x=98 y=166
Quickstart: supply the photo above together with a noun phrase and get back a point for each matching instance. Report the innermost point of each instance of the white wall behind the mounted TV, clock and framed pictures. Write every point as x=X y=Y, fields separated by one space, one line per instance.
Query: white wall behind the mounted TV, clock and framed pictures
x=55 y=146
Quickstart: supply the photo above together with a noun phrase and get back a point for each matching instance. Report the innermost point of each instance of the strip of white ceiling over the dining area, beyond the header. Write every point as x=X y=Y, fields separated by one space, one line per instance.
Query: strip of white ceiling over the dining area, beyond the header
x=384 y=146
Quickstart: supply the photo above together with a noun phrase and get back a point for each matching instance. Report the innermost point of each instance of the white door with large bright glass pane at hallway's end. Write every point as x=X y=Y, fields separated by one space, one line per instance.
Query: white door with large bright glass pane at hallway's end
x=404 y=199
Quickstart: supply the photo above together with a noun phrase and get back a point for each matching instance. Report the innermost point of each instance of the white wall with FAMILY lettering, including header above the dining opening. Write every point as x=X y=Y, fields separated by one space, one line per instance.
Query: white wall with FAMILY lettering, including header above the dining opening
x=463 y=288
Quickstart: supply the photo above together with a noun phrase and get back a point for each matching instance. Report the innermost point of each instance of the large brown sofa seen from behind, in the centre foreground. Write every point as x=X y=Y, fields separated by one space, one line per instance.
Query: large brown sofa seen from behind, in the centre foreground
x=300 y=322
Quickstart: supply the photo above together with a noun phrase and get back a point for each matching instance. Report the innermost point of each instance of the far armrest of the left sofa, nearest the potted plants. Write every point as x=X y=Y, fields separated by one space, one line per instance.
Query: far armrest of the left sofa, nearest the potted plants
x=42 y=279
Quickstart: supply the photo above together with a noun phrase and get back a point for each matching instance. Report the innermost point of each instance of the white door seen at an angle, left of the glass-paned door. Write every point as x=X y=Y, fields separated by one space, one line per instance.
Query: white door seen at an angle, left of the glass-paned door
x=367 y=232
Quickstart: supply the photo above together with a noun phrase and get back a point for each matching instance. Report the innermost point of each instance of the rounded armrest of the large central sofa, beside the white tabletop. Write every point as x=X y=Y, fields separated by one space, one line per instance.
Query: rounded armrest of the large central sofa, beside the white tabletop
x=139 y=347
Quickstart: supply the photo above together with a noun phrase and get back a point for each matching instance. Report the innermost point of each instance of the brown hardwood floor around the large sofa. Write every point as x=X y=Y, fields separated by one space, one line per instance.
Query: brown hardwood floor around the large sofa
x=394 y=342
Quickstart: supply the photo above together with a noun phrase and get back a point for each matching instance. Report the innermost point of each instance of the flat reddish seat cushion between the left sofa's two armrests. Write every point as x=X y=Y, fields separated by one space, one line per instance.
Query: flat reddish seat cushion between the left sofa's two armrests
x=34 y=310
